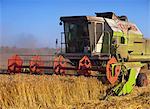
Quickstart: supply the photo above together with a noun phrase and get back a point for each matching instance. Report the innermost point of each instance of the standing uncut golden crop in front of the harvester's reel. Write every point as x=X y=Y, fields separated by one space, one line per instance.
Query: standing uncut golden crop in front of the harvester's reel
x=35 y=91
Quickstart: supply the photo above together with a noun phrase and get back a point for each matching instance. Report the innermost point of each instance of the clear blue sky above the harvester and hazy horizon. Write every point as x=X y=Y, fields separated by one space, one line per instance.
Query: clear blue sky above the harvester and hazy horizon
x=35 y=23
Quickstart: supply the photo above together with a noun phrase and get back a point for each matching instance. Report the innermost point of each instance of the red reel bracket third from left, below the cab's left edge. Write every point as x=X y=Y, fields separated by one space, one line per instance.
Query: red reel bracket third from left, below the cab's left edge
x=59 y=63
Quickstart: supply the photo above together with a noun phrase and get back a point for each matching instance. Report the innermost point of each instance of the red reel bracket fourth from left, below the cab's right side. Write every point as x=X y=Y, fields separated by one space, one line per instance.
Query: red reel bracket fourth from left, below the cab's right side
x=84 y=65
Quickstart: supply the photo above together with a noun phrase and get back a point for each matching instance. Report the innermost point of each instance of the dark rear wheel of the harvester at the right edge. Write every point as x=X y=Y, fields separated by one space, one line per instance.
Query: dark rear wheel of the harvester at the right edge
x=142 y=80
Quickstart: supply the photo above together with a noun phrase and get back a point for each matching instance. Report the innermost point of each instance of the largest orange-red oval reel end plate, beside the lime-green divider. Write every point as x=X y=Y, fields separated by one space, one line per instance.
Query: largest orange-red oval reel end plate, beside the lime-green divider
x=117 y=69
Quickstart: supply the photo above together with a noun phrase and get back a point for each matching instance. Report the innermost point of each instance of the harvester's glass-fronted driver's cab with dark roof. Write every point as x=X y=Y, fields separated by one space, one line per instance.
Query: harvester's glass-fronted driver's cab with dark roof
x=86 y=34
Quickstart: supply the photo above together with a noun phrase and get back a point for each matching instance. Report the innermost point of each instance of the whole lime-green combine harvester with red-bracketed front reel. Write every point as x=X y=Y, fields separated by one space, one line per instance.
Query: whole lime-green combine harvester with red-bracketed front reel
x=106 y=44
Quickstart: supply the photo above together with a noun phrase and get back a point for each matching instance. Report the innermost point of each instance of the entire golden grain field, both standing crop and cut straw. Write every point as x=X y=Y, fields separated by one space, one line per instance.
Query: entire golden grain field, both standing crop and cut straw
x=23 y=91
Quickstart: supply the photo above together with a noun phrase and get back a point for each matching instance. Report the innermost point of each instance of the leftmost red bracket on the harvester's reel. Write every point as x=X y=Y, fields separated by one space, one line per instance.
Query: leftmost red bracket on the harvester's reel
x=14 y=64
